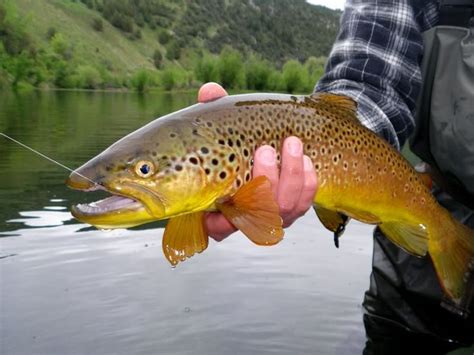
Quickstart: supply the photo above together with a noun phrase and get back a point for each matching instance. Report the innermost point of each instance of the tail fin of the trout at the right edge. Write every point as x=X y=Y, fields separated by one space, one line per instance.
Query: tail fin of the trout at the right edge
x=451 y=248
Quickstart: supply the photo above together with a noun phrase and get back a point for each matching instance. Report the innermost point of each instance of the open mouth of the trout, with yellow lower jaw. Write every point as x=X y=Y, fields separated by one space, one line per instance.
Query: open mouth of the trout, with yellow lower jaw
x=121 y=210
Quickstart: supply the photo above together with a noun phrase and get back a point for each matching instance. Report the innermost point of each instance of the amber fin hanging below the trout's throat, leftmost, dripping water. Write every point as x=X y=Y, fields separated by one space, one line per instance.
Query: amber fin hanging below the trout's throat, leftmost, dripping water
x=184 y=236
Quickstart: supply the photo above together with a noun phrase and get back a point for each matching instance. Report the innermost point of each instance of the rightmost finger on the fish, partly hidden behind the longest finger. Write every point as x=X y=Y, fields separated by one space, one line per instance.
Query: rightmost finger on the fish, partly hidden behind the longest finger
x=307 y=192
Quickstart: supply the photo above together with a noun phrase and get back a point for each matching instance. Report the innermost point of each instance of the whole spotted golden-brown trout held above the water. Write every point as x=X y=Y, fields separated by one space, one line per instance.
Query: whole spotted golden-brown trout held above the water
x=199 y=159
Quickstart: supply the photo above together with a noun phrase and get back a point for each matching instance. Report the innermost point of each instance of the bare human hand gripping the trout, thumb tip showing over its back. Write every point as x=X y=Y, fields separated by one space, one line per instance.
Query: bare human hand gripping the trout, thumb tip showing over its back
x=294 y=186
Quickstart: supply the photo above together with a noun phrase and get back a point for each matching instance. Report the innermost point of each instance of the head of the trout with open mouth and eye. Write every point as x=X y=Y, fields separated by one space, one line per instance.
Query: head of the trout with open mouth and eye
x=153 y=173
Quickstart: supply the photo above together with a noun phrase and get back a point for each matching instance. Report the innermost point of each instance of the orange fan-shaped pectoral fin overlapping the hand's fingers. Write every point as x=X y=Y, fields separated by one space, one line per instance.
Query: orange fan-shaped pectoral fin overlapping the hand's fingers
x=253 y=210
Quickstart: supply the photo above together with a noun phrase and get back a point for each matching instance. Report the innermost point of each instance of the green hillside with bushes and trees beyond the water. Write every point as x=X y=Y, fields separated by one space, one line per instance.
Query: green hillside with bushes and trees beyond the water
x=138 y=43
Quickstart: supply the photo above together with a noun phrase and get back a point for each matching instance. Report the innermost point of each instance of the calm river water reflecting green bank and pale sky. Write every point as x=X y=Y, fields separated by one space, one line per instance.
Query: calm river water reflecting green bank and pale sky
x=67 y=288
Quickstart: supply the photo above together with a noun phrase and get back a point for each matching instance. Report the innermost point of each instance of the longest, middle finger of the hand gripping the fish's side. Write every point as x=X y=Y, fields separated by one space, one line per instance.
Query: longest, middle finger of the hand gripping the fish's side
x=291 y=177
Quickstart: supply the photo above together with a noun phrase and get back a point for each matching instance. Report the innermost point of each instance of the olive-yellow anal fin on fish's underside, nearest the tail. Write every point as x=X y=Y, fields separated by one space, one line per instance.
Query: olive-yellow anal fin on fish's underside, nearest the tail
x=411 y=238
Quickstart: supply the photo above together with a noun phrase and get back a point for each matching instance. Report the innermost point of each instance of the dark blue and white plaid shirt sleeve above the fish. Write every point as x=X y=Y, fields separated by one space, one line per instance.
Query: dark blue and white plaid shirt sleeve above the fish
x=376 y=61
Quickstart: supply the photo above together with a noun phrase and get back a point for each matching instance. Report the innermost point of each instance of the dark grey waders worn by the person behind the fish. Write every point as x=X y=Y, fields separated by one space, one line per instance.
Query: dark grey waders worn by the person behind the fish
x=405 y=309
